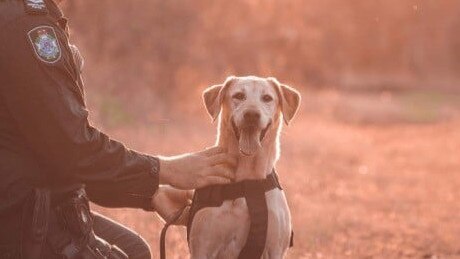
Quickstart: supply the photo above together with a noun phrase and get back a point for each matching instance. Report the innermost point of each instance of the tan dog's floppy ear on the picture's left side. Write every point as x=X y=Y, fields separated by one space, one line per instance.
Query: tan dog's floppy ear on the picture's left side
x=213 y=97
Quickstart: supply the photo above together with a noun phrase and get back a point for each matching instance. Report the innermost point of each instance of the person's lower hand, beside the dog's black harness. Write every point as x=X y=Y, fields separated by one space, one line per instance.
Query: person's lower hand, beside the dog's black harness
x=168 y=202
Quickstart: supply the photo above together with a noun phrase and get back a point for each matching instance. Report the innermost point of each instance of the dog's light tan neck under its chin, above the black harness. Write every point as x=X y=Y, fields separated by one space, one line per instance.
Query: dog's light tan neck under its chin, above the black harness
x=259 y=165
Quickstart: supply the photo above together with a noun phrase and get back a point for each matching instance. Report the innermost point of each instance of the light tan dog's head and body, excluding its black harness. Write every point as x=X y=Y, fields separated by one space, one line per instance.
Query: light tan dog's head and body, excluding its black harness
x=251 y=111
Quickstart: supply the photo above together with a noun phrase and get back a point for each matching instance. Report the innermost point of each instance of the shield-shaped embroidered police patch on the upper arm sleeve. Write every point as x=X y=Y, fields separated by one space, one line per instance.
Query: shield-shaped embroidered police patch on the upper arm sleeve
x=45 y=44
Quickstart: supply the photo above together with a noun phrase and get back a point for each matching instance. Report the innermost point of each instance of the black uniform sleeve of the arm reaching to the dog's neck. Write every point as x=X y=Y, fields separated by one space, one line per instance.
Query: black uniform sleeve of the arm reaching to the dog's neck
x=48 y=107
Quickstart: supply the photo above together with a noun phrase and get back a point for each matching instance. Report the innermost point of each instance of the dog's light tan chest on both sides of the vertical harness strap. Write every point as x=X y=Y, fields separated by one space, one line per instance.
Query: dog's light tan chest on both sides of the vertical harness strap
x=223 y=230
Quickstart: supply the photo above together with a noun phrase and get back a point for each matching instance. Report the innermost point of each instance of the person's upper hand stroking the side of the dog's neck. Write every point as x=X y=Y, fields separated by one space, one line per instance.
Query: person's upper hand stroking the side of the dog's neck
x=196 y=170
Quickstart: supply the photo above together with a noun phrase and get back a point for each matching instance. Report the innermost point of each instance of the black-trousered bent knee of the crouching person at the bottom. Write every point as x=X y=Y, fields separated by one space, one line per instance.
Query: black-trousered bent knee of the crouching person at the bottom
x=126 y=239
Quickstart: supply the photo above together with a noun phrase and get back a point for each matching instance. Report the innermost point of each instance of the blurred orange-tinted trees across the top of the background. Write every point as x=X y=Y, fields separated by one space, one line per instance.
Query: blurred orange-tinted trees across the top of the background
x=172 y=46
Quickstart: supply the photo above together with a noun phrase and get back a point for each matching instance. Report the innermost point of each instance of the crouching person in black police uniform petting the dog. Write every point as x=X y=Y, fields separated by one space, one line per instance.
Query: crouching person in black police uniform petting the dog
x=52 y=161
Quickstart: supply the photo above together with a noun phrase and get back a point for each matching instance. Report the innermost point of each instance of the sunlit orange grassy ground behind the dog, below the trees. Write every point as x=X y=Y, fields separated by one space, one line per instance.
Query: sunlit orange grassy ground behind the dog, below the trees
x=367 y=175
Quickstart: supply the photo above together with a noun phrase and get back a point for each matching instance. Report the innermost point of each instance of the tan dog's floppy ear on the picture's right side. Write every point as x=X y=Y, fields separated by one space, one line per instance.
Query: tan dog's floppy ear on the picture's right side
x=289 y=99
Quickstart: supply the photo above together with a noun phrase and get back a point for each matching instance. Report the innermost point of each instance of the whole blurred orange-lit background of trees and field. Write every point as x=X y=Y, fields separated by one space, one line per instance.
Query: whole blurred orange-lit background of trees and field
x=370 y=165
